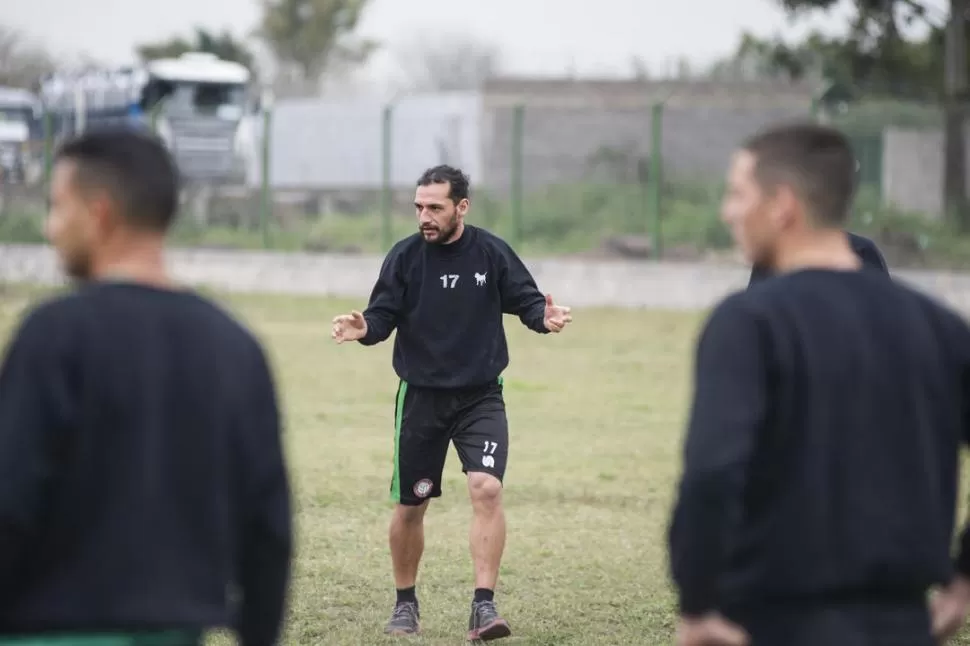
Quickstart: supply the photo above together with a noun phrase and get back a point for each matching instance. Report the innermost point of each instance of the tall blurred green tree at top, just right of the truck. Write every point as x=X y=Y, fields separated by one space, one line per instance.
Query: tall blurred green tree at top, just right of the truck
x=311 y=37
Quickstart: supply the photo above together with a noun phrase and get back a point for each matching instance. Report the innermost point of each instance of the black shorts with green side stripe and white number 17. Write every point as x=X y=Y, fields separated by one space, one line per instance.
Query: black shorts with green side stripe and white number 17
x=426 y=419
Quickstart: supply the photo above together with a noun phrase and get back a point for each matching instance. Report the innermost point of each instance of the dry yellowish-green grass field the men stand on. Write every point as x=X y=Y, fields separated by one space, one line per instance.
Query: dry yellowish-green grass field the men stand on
x=596 y=414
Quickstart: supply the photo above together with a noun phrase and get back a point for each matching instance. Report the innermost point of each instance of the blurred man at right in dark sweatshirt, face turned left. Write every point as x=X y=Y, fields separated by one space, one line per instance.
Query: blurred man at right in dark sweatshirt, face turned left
x=818 y=495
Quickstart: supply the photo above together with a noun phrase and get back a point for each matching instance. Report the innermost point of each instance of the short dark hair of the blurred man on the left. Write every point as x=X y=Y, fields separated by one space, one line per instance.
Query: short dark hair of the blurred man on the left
x=133 y=167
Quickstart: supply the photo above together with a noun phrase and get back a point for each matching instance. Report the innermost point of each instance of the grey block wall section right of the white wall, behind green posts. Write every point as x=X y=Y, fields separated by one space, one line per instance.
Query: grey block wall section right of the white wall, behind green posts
x=571 y=125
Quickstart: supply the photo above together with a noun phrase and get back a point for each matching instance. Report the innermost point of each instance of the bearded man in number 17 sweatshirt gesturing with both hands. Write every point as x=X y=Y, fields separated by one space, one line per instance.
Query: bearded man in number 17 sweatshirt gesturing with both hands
x=445 y=290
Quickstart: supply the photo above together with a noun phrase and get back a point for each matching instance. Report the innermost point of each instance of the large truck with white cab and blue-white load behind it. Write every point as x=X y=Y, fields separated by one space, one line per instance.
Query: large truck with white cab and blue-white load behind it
x=195 y=103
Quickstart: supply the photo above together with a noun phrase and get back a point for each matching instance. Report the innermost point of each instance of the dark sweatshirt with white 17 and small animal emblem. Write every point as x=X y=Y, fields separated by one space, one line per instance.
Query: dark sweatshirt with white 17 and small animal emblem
x=446 y=302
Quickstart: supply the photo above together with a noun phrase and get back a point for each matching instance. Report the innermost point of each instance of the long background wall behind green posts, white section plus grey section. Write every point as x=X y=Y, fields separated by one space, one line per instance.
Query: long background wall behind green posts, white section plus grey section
x=337 y=144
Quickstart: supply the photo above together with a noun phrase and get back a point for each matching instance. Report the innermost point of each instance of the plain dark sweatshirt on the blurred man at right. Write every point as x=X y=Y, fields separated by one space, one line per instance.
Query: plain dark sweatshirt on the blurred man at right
x=821 y=458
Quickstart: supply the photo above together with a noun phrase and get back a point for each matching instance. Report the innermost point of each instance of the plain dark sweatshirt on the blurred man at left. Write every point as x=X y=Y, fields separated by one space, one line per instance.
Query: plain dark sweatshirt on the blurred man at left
x=143 y=473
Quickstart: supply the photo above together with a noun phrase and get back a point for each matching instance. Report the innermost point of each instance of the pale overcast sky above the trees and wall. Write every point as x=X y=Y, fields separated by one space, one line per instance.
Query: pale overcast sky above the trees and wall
x=534 y=38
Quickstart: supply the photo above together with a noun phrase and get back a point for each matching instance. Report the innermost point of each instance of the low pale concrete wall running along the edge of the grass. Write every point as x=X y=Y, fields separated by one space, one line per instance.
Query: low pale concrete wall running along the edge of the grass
x=573 y=282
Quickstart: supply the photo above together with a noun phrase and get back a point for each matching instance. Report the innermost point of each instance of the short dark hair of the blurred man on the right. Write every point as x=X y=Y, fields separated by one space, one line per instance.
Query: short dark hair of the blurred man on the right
x=816 y=161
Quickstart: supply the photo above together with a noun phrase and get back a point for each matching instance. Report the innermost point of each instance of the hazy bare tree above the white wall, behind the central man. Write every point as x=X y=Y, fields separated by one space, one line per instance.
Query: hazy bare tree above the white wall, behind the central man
x=453 y=63
